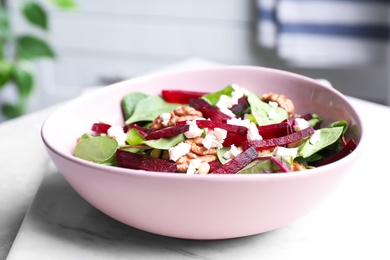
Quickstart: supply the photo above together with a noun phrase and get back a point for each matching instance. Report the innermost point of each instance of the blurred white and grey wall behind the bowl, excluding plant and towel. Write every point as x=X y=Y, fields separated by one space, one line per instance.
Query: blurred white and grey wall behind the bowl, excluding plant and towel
x=106 y=41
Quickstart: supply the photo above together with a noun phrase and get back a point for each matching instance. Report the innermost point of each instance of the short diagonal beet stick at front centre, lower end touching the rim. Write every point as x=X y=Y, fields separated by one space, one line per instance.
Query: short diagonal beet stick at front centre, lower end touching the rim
x=238 y=162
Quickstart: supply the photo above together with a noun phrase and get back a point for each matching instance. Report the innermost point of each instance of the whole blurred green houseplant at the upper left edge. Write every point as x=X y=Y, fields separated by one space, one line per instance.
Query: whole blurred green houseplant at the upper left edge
x=15 y=49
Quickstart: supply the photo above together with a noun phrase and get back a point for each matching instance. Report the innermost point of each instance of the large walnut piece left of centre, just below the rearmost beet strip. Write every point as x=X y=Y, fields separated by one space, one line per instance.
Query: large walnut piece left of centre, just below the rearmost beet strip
x=183 y=113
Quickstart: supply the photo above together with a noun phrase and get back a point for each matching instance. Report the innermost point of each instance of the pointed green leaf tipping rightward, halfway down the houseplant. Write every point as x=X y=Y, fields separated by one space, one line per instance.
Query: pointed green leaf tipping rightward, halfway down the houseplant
x=30 y=47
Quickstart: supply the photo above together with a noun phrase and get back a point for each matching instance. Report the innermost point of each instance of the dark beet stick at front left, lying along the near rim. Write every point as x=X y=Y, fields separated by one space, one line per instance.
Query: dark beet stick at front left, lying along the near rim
x=136 y=161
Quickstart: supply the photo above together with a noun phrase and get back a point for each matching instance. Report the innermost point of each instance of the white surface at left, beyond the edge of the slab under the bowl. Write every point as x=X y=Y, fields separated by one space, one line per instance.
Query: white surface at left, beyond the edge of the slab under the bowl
x=23 y=162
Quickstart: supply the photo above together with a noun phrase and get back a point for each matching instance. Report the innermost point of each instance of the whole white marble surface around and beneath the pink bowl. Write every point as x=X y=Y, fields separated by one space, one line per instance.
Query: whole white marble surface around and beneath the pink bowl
x=352 y=223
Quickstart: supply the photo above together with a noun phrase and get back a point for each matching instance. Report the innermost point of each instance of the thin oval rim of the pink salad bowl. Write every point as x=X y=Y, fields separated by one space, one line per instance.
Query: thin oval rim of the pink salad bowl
x=212 y=177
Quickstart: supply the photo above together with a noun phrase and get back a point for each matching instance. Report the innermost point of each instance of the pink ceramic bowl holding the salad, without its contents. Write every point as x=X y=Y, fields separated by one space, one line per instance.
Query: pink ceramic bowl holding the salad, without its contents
x=199 y=206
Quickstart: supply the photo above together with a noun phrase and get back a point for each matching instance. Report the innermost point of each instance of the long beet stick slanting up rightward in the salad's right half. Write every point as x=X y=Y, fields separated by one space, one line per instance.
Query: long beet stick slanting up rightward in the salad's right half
x=279 y=141
